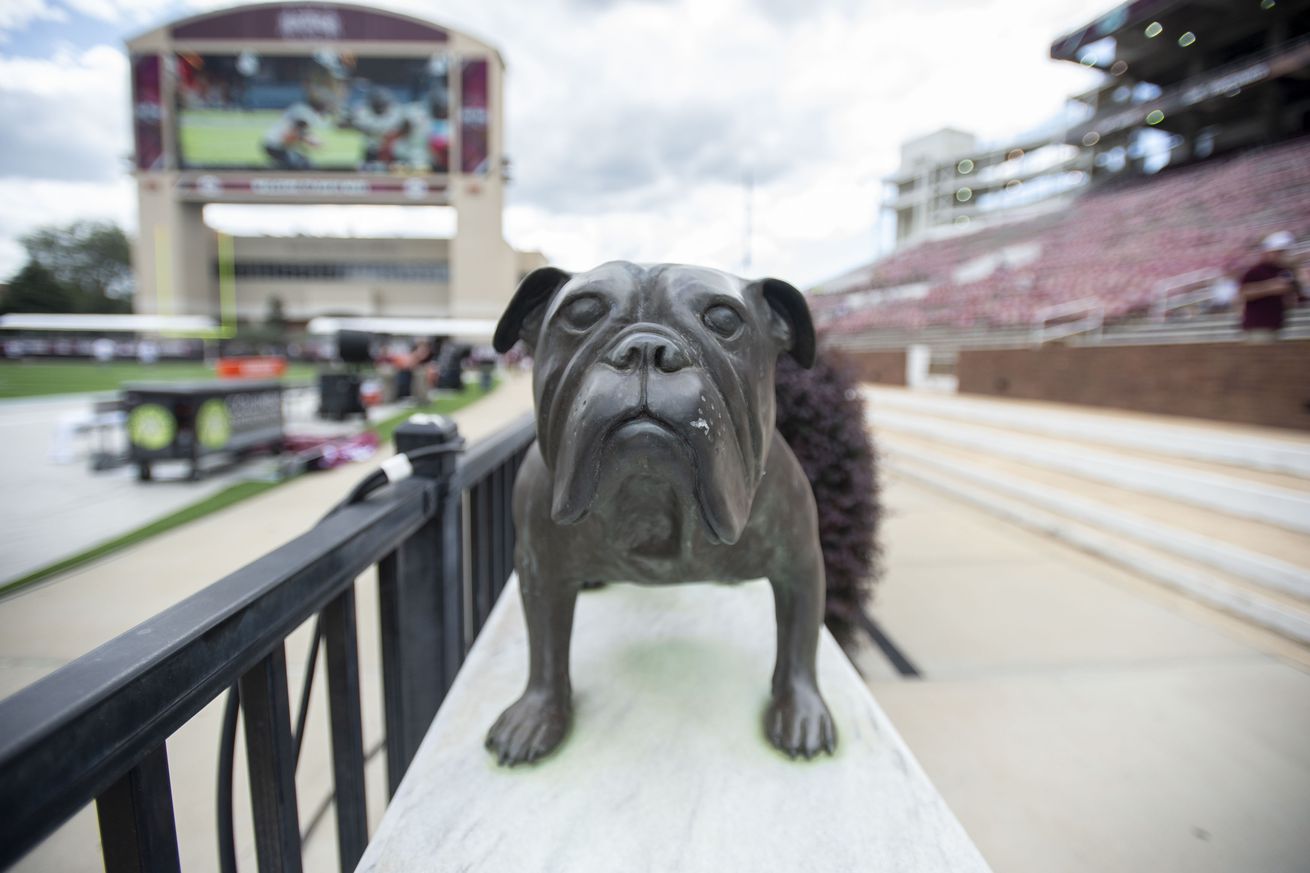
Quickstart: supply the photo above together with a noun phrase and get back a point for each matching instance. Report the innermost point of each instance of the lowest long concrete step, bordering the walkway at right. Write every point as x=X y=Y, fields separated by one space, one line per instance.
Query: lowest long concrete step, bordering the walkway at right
x=1246 y=585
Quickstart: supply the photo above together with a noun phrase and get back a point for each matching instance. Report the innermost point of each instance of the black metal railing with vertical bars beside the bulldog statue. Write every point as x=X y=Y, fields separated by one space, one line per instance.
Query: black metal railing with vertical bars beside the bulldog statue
x=96 y=729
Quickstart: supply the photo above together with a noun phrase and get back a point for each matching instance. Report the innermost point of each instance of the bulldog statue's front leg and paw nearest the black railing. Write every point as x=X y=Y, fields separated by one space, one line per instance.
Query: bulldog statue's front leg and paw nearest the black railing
x=538 y=723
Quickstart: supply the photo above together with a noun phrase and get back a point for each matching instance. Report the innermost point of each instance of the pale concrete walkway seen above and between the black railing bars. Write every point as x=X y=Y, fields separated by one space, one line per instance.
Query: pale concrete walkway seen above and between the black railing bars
x=50 y=625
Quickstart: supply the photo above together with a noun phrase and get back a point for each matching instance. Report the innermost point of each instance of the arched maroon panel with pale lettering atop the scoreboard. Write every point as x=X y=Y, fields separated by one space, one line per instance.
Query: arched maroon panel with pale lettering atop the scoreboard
x=309 y=23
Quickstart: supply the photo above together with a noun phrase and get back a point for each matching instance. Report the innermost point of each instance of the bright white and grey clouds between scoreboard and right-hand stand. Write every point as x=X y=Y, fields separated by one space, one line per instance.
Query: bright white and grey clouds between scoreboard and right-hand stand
x=818 y=106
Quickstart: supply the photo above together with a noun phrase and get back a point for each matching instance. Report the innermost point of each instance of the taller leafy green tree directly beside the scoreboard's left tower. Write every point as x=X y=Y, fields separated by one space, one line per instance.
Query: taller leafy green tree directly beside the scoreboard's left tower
x=94 y=260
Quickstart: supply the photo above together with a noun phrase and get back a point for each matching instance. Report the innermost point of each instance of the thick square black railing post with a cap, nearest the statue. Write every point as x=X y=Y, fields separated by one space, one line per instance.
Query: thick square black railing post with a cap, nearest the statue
x=417 y=609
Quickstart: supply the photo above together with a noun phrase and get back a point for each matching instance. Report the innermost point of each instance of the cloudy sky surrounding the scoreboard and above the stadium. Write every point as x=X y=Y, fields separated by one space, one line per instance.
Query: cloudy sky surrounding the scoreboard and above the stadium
x=632 y=124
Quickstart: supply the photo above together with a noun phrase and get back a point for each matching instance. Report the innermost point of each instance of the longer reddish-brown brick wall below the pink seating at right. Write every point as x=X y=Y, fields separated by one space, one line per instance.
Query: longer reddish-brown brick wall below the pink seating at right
x=1254 y=385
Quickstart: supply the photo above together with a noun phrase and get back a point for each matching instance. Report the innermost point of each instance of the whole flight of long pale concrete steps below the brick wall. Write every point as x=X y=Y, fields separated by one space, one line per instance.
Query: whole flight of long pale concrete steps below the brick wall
x=1218 y=512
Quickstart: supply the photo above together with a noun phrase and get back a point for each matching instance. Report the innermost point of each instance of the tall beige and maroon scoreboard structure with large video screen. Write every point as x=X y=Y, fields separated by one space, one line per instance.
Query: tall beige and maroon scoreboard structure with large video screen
x=316 y=104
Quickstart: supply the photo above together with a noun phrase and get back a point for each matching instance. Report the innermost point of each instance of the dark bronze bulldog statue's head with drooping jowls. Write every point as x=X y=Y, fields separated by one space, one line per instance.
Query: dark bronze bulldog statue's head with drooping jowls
x=662 y=369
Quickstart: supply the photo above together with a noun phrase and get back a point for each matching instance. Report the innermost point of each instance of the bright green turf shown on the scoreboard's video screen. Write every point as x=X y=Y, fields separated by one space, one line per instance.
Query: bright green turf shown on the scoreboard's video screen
x=217 y=138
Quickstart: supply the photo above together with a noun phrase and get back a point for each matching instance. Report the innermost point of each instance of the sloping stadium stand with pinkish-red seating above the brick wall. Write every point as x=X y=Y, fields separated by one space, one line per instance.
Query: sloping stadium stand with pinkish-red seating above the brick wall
x=1115 y=248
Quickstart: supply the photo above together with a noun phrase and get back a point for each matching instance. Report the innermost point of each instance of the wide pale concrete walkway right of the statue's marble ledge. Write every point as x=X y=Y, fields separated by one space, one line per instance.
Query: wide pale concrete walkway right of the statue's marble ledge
x=1079 y=719
